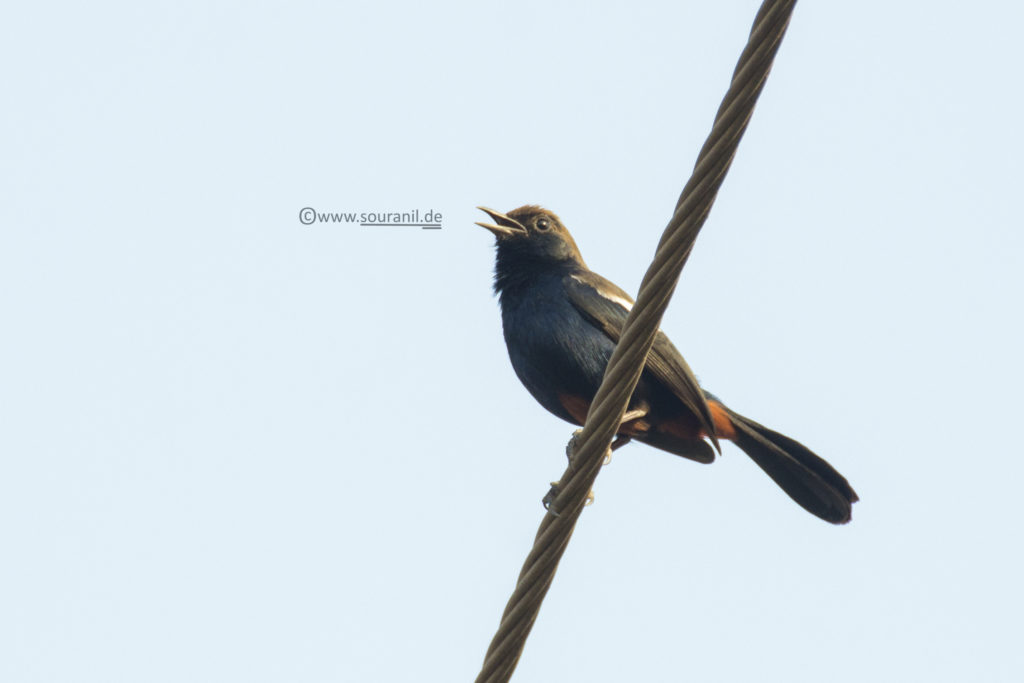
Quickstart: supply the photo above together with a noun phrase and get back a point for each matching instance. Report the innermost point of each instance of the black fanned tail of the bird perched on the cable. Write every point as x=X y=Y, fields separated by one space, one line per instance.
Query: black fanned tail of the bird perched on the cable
x=807 y=479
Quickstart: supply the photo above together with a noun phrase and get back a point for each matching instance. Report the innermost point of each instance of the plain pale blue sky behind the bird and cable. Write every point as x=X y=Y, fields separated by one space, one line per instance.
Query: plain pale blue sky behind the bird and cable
x=240 y=449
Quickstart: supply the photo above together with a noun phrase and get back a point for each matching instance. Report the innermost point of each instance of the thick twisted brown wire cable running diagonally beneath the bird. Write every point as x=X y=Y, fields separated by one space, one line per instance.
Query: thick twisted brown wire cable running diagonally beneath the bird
x=638 y=335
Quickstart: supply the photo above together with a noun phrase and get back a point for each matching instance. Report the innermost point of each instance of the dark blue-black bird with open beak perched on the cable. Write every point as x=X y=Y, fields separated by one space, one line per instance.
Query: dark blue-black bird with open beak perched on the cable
x=562 y=322
